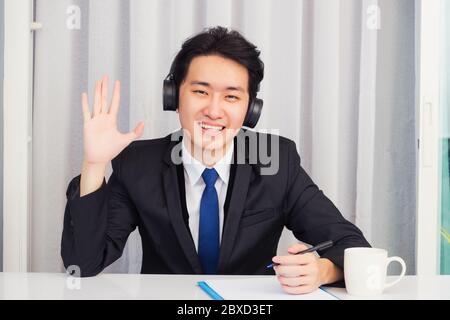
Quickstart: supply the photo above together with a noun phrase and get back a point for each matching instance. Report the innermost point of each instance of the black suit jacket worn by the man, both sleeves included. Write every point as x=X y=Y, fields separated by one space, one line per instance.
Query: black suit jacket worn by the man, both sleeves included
x=146 y=190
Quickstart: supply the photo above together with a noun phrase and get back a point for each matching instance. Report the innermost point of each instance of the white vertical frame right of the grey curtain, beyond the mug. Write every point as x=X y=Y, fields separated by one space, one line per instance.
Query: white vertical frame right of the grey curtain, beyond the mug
x=427 y=245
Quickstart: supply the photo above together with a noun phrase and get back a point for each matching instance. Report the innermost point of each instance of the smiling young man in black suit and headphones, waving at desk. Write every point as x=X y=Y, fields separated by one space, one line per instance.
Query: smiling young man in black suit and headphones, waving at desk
x=201 y=203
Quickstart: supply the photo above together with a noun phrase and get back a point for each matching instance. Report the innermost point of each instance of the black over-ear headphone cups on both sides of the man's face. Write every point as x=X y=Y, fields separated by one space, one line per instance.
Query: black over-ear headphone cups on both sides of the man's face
x=170 y=102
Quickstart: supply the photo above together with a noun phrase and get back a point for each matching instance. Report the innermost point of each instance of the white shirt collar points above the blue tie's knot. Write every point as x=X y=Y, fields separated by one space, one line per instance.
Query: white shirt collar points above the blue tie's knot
x=195 y=168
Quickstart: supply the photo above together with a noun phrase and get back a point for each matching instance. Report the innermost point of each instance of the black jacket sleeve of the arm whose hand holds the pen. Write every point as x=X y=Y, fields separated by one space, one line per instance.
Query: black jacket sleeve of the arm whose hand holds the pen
x=313 y=218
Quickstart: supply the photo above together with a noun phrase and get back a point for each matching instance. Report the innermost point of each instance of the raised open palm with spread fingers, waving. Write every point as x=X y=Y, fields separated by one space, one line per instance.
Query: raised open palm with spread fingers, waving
x=102 y=140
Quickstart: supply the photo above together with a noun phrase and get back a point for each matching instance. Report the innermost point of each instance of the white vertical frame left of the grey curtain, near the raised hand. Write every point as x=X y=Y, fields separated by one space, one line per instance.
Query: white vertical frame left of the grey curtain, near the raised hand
x=17 y=133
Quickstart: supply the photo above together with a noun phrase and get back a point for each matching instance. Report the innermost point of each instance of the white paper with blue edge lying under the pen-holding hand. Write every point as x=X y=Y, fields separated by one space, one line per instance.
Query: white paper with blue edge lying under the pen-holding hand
x=267 y=288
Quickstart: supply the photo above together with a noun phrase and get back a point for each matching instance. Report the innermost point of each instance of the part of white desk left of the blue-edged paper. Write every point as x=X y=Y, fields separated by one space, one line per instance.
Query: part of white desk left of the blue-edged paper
x=103 y=286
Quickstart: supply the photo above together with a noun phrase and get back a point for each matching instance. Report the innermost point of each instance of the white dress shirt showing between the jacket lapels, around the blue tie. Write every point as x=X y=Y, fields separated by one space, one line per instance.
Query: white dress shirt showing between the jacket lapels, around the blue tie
x=195 y=185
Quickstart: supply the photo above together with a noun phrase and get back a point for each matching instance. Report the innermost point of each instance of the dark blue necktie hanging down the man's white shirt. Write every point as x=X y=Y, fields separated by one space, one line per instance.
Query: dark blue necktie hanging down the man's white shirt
x=208 y=235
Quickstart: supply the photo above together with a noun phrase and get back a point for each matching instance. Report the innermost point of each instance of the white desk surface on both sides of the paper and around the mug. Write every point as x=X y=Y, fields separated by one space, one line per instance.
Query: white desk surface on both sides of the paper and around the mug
x=174 y=287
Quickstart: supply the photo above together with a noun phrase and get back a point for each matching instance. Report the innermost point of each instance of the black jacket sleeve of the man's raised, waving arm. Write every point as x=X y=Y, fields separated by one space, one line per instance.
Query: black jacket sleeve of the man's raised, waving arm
x=97 y=225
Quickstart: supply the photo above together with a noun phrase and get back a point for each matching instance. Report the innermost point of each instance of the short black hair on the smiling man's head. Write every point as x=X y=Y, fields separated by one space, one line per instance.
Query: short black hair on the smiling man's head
x=226 y=43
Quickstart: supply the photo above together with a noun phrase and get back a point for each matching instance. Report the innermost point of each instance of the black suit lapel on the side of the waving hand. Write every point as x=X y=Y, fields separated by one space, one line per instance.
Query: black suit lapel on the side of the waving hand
x=172 y=193
